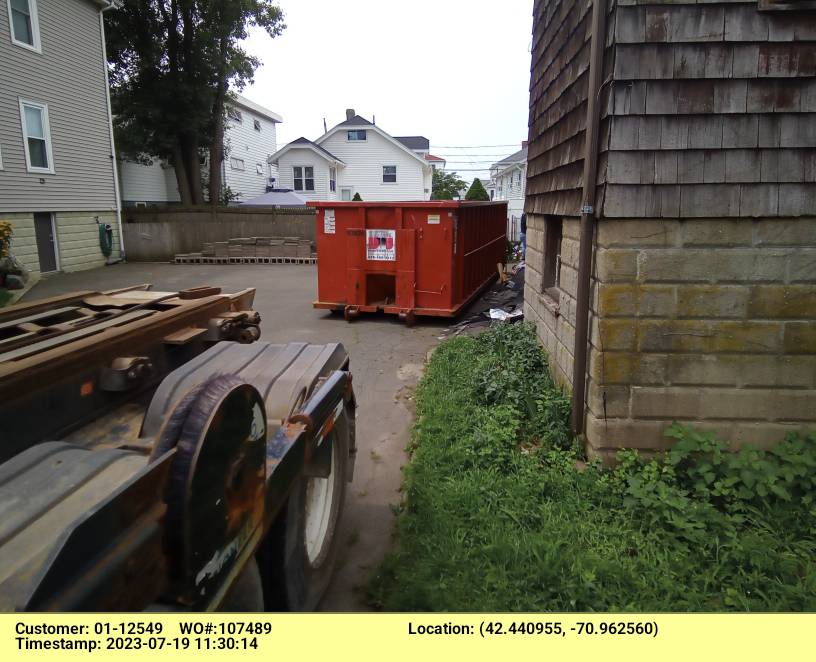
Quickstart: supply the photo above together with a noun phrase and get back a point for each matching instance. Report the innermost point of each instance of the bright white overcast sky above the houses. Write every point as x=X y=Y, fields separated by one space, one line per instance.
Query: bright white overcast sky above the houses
x=454 y=71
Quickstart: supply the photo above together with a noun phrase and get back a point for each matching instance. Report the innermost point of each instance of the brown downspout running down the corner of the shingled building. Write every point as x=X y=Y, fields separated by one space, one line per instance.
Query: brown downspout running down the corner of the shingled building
x=588 y=214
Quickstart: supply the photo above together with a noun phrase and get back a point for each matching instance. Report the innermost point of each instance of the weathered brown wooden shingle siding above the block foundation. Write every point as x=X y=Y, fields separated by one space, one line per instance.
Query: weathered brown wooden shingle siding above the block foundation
x=710 y=110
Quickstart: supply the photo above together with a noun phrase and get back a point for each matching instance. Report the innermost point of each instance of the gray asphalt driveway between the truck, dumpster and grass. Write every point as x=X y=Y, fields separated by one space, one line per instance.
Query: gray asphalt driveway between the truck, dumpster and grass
x=386 y=360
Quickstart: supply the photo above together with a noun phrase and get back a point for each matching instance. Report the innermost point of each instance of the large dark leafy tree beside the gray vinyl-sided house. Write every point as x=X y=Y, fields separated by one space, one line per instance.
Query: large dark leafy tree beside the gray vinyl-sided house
x=171 y=65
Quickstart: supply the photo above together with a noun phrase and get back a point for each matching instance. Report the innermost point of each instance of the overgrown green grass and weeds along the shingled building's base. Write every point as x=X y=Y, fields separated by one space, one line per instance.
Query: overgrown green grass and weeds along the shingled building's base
x=499 y=515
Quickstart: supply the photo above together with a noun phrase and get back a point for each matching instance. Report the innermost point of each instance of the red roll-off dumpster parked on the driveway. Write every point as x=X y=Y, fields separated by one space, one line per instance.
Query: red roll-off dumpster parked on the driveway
x=407 y=258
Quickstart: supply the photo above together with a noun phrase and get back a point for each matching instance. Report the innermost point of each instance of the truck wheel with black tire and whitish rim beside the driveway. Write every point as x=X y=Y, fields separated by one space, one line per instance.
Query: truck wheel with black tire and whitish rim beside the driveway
x=298 y=556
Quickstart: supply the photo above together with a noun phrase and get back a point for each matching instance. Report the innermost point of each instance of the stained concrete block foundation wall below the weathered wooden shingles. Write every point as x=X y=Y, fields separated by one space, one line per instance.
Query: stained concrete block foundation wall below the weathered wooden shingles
x=709 y=322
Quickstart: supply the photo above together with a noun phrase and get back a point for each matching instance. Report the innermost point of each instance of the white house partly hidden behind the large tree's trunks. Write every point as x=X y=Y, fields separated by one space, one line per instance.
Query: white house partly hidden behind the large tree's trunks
x=249 y=139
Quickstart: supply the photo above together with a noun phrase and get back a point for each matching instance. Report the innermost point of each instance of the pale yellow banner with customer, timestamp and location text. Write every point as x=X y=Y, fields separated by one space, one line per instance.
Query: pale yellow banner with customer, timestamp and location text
x=414 y=637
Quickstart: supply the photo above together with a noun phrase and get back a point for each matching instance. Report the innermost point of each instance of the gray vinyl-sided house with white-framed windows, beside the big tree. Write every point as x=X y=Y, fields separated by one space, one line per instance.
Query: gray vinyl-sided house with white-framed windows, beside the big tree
x=57 y=171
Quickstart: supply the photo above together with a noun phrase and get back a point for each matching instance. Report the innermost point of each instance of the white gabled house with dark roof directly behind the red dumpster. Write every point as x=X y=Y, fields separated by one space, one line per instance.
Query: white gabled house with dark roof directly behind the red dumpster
x=355 y=156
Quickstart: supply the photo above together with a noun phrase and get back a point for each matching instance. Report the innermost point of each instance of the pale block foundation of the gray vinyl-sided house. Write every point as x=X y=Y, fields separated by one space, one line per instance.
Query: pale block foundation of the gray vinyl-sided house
x=77 y=239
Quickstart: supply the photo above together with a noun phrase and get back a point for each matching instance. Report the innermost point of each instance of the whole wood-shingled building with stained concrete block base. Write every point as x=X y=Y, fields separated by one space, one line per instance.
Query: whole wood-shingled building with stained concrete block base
x=671 y=203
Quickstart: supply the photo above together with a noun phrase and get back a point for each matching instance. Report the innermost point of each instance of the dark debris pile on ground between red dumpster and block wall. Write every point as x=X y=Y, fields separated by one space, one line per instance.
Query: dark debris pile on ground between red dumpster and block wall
x=503 y=302
